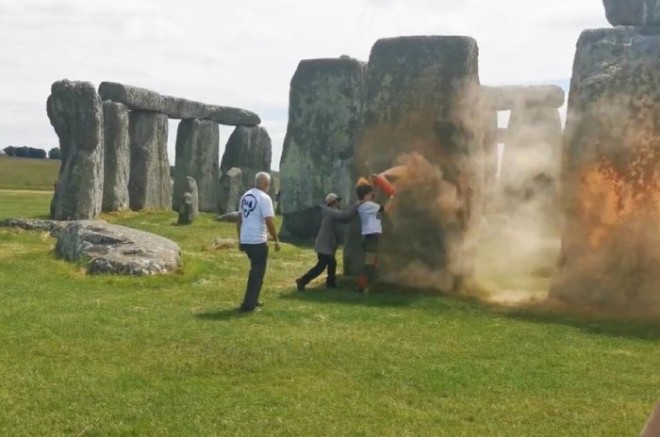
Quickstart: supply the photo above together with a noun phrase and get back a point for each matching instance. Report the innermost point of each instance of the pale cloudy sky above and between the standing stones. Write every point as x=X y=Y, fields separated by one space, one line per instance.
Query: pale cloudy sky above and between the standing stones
x=240 y=53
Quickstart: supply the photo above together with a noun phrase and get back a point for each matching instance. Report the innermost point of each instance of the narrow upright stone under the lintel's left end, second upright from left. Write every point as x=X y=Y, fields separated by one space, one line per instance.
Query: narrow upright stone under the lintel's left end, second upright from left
x=117 y=157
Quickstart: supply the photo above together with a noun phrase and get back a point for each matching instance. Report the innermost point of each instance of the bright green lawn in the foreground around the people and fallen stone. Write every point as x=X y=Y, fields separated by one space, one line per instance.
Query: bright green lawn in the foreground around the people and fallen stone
x=170 y=356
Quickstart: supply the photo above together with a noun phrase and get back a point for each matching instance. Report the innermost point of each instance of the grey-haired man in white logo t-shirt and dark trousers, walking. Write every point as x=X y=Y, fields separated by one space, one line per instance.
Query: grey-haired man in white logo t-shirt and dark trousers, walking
x=254 y=224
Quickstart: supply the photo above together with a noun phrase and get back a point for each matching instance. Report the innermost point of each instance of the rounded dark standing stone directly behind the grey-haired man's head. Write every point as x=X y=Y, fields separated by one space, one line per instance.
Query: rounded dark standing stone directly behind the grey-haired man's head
x=249 y=149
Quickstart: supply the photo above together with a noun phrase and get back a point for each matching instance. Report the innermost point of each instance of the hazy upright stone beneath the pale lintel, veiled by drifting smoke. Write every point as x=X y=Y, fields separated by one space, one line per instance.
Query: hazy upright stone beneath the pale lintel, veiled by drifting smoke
x=531 y=165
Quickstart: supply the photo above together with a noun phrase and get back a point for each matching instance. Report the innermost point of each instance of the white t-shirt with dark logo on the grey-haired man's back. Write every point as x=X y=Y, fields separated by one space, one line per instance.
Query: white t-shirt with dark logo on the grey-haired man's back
x=255 y=207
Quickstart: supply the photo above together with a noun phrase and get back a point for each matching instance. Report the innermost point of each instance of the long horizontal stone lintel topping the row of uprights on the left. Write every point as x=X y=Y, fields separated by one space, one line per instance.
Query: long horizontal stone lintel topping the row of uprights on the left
x=142 y=99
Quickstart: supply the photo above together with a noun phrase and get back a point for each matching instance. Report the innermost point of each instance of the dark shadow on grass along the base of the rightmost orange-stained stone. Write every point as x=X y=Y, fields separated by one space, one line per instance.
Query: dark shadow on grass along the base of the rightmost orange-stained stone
x=643 y=329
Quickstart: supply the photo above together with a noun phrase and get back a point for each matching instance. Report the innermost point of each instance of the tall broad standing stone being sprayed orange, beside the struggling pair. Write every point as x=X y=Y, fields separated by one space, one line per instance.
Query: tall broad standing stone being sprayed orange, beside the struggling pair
x=422 y=109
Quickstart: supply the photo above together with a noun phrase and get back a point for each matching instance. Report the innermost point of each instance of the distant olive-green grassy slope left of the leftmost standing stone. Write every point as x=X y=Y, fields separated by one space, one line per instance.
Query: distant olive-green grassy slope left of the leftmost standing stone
x=28 y=174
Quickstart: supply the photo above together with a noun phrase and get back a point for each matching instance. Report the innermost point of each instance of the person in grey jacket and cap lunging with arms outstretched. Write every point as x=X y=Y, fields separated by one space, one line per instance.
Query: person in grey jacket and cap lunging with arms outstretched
x=327 y=241
